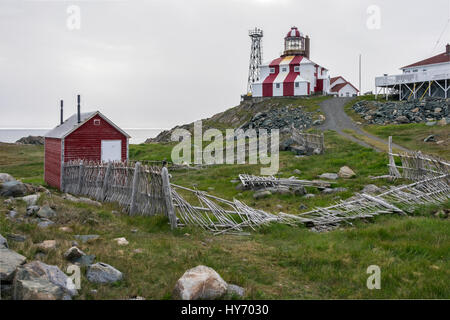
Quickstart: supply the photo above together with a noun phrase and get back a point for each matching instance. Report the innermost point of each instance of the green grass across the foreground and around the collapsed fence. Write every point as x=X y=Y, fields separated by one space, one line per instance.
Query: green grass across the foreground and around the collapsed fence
x=274 y=262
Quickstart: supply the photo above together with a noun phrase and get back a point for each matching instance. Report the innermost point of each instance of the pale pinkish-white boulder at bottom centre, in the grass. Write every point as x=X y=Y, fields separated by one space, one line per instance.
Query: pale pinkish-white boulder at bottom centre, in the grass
x=200 y=282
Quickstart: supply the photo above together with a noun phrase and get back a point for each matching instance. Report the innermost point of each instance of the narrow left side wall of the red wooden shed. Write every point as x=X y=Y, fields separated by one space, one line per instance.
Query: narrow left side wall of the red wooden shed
x=52 y=170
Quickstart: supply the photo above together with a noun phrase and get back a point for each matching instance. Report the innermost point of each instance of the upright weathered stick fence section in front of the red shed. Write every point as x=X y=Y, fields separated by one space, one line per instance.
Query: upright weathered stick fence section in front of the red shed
x=139 y=189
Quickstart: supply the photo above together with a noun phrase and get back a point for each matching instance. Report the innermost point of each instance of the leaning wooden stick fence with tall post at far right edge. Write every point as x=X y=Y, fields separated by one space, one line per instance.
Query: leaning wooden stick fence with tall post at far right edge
x=416 y=166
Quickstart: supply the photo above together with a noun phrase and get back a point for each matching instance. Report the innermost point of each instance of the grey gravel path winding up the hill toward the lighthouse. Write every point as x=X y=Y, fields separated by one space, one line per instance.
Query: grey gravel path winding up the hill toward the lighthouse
x=337 y=120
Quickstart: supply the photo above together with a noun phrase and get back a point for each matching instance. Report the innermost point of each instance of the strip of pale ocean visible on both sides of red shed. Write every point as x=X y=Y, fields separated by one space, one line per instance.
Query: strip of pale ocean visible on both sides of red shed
x=12 y=135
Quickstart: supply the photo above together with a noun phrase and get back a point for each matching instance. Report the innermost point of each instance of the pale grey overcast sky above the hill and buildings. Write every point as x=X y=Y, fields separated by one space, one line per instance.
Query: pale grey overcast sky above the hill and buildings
x=159 y=63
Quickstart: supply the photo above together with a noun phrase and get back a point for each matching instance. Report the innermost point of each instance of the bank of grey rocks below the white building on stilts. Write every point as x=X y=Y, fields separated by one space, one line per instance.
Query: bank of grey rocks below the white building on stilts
x=428 y=110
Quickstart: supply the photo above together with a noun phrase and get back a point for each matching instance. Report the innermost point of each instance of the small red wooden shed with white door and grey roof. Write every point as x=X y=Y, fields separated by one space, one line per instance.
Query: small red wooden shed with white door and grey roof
x=85 y=136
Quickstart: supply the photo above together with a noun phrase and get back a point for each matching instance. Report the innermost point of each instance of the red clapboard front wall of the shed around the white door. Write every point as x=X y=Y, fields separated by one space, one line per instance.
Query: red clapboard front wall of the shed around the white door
x=85 y=142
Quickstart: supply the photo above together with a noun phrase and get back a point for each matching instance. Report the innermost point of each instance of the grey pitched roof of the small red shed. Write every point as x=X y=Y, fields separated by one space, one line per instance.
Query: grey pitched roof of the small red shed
x=71 y=124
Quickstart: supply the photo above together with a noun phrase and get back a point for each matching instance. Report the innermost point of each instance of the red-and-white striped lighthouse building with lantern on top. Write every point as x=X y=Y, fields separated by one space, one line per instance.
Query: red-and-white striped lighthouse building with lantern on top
x=292 y=74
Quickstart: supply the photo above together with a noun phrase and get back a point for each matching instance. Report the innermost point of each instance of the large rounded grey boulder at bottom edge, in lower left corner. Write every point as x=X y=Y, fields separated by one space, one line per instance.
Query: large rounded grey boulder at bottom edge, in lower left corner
x=36 y=280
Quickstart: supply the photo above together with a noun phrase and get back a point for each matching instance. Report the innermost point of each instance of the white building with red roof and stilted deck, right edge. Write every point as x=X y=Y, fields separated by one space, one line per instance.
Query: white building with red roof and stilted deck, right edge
x=426 y=77
